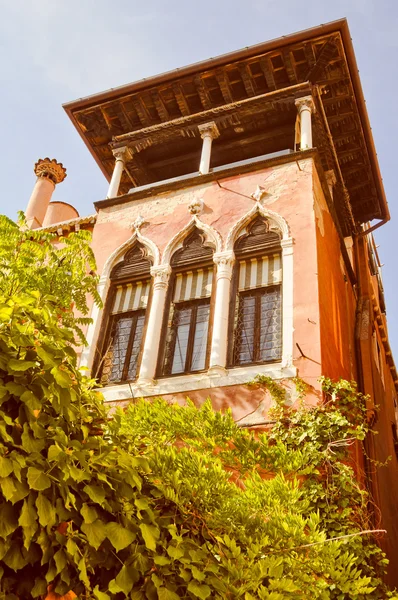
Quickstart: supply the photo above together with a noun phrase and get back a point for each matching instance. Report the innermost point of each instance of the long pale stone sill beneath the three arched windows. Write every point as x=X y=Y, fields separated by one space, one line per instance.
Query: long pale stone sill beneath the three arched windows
x=199 y=381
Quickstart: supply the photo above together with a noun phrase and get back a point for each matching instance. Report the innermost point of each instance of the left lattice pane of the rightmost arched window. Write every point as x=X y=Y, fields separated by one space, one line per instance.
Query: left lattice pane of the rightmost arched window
x=244 y=342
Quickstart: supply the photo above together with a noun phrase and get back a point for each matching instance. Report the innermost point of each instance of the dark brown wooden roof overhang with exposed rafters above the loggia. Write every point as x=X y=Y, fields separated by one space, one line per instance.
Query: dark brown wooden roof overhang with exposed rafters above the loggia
x=250 y=95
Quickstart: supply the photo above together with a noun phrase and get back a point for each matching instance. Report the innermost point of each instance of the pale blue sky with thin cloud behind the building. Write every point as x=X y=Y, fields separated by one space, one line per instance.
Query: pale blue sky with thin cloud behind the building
x=54 y=51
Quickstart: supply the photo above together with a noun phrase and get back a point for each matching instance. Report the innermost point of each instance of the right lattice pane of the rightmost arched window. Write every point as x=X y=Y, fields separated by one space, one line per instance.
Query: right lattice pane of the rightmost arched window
x=270 y=326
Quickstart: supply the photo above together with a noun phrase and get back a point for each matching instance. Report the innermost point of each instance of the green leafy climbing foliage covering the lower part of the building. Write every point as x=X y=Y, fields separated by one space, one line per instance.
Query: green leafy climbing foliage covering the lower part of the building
x=162 y=502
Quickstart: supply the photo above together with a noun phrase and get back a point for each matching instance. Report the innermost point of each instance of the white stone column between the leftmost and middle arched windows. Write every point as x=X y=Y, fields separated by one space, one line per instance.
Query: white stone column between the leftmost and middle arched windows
x=150 y=351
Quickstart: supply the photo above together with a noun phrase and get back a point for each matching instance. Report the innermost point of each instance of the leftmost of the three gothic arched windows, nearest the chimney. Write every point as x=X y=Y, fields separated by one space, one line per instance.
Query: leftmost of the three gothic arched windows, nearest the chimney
x=120 y=348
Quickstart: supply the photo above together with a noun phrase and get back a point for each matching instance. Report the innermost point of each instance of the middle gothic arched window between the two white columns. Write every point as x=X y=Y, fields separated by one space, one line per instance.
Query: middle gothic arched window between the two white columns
x=188 y=324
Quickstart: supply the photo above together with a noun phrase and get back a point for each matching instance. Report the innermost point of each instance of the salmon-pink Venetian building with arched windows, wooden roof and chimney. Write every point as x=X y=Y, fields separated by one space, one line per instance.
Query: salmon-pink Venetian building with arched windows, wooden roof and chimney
x=235 y=236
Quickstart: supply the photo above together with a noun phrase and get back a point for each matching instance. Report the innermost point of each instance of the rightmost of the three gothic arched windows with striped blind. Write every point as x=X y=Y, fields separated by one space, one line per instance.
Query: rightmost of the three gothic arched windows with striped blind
x=256 y=315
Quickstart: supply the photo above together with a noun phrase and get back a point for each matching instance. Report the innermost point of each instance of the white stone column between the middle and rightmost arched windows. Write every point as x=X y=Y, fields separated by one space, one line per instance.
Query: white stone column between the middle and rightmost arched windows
x=218 y=354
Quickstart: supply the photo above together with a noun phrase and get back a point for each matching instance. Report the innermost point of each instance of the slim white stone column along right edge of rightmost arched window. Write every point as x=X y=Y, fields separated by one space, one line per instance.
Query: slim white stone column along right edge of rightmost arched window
x=287 y=302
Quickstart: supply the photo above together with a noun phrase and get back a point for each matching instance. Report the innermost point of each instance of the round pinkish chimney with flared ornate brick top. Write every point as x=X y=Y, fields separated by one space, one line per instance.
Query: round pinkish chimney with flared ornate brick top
x=49 y=172
